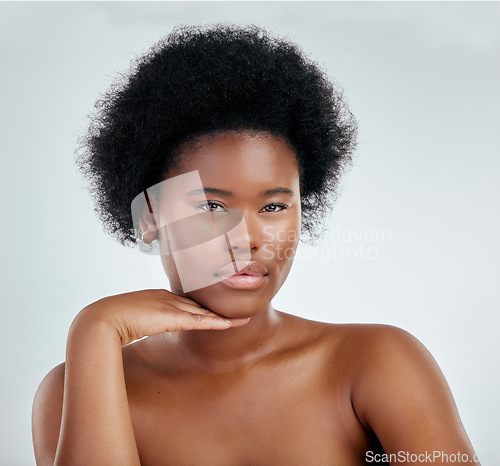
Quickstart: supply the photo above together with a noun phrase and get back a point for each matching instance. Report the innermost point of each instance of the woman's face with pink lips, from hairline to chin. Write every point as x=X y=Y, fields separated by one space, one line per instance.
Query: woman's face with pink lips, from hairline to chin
x=248 y=185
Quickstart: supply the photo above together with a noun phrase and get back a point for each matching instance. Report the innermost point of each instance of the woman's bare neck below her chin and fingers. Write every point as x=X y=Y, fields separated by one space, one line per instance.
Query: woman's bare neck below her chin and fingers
x=234 y=348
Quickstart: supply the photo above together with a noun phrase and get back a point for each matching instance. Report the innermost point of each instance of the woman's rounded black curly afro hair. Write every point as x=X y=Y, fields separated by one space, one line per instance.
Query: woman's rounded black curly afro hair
x=202 y=80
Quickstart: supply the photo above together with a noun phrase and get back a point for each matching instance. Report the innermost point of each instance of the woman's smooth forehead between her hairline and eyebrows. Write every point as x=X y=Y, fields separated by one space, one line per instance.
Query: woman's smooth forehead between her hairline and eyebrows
x=239 y=160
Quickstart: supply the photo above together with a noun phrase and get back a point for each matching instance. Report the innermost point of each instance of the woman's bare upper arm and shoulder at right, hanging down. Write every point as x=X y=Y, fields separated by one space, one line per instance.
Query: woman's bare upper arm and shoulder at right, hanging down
x=402 y=396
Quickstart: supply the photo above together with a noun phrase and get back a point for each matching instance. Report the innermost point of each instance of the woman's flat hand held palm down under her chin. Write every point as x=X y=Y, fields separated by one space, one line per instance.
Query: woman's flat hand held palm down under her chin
x=149 y=312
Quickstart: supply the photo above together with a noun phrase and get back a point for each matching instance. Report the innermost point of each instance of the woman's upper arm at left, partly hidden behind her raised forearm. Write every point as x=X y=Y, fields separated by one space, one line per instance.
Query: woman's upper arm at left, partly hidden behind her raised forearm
x=46 y=416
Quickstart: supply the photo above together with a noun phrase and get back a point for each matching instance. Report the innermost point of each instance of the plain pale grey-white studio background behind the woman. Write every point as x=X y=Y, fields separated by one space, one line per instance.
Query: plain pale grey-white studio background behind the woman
x=423 y=81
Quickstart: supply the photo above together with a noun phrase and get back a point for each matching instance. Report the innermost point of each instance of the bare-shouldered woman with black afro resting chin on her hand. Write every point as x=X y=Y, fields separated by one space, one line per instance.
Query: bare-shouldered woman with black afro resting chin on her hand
x=228 y=144
